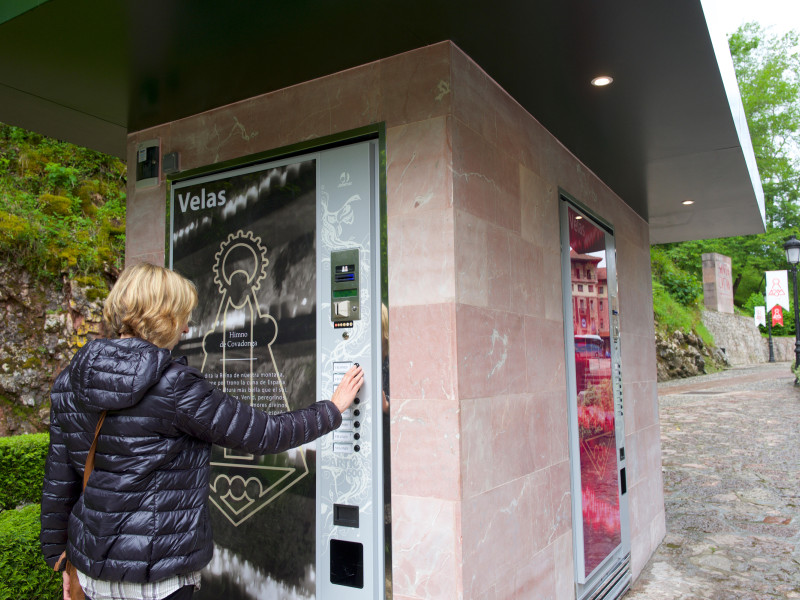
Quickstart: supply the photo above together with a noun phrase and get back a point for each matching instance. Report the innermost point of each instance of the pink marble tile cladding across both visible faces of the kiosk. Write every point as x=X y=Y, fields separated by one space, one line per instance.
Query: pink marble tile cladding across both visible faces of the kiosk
x=480 y=477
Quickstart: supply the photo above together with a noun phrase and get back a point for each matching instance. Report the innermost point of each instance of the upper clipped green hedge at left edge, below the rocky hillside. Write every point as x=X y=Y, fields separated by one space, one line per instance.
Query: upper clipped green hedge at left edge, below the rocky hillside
x=22 y=460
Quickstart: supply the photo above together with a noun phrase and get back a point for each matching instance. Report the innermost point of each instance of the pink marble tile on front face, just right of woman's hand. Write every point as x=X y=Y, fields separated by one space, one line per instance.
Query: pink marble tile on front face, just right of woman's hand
x=423 y=352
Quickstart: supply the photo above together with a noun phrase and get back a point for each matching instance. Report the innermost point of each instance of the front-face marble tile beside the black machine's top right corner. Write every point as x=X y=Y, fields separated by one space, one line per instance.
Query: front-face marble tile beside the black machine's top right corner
x=417 y=175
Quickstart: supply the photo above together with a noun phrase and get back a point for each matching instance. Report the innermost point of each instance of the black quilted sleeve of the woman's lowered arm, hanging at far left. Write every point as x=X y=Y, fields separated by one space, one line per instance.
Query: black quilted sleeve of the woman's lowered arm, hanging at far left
x=60 y=491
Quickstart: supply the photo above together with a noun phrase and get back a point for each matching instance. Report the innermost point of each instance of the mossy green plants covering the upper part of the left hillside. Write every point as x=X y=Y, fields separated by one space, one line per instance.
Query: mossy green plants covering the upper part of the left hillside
x=62 y=208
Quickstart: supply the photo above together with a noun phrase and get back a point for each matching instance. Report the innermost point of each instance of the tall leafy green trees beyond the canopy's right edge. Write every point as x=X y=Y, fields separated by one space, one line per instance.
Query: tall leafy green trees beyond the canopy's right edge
x=768 y=72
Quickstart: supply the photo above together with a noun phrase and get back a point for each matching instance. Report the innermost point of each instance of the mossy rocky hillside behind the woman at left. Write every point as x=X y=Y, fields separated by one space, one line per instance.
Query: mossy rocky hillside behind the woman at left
x=62 y=243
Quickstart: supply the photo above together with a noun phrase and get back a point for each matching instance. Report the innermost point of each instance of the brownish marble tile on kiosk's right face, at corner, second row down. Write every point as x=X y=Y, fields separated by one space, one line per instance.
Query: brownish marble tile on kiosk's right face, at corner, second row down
x=485 y=181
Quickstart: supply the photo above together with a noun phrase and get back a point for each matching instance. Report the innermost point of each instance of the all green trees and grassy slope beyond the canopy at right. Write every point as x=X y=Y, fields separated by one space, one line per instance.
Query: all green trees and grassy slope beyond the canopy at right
x=768 y=72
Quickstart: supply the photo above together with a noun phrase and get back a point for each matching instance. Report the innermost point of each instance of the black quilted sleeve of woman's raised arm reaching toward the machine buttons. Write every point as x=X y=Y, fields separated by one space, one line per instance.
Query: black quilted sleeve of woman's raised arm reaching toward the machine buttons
x=213 y=416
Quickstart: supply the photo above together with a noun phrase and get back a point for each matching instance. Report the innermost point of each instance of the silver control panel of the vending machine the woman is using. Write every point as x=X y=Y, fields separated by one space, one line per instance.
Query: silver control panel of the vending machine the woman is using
x=351 y=552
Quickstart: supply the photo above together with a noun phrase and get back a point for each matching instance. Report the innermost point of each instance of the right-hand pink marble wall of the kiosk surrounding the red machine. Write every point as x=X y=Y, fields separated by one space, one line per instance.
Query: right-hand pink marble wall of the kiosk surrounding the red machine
x=507 y=171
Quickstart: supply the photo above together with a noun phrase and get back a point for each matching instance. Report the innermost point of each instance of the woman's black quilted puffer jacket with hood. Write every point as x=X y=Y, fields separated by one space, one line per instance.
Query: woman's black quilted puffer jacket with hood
x=144 y=514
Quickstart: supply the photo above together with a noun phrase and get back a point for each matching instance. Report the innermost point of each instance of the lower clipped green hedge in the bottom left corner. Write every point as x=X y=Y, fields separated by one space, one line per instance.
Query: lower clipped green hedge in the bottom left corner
x=23 y=573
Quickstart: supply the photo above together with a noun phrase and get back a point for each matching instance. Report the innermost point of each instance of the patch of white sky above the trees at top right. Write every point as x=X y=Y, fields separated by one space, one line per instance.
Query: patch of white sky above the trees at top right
x=778 y=15
